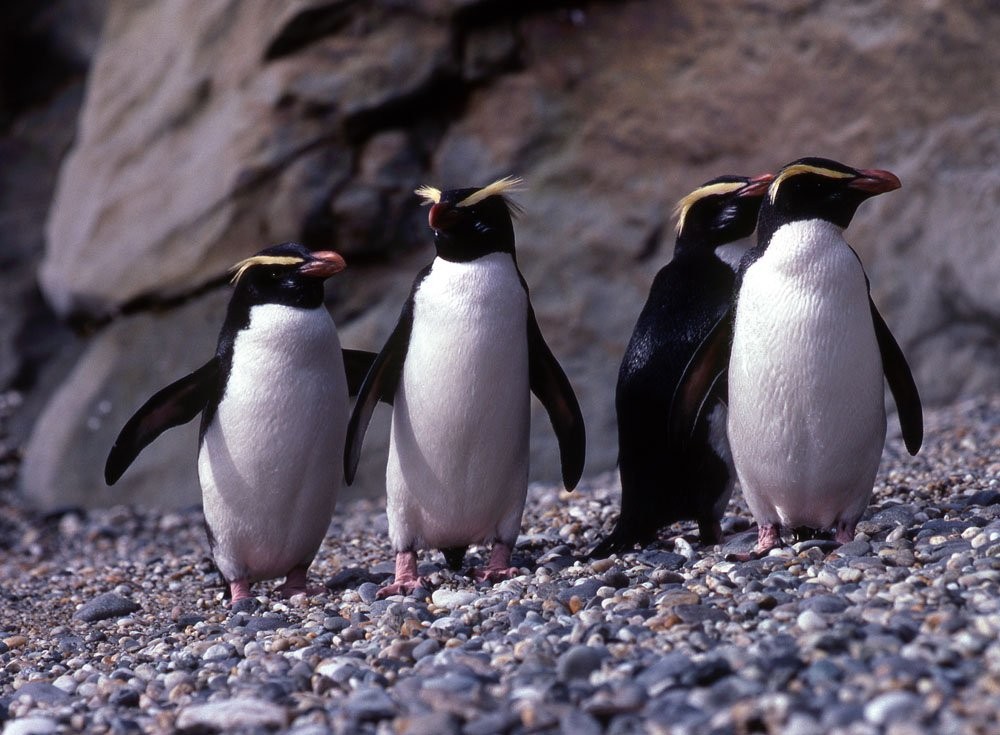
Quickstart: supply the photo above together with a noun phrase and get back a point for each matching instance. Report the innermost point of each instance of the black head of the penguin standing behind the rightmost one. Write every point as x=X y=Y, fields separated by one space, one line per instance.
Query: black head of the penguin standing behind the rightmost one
x=719 y=211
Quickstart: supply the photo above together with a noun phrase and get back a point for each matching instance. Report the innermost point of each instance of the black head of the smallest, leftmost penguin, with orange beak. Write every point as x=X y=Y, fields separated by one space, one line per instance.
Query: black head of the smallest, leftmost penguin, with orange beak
x=285 y=274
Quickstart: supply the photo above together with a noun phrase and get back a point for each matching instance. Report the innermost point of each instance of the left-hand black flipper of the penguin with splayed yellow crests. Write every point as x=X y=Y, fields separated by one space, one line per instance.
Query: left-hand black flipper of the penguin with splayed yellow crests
x=379 y=385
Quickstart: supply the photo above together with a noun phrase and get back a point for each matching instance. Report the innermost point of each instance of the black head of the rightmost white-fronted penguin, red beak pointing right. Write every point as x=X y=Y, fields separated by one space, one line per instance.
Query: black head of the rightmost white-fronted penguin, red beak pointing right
x=818 y=188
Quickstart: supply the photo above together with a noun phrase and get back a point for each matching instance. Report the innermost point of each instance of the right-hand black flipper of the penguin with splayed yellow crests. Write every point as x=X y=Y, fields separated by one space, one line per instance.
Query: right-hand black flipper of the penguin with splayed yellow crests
x=550 y=384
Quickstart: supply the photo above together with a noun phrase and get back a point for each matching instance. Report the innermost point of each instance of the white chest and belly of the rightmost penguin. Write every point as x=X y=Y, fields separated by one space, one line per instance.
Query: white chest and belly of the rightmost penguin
x=806 y=405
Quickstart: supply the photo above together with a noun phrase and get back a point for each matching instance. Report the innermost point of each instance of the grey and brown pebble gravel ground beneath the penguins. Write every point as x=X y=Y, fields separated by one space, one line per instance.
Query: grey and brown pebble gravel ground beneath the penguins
x=113 y=621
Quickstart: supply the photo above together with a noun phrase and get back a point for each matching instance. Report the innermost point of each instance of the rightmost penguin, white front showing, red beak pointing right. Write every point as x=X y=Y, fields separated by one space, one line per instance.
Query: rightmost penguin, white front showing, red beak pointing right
x=809 y=357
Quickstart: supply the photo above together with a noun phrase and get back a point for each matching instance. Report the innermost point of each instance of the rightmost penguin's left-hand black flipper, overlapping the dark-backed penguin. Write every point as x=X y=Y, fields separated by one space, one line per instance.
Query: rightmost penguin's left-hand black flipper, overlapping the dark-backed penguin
x=704 y=377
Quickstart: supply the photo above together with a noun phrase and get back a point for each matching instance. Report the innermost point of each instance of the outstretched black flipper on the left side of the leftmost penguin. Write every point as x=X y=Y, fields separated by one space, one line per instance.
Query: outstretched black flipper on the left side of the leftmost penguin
x=172 y=406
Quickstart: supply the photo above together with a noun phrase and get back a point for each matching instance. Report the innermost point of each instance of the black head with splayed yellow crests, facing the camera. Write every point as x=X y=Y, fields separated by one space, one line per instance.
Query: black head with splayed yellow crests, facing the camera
x=471 y=223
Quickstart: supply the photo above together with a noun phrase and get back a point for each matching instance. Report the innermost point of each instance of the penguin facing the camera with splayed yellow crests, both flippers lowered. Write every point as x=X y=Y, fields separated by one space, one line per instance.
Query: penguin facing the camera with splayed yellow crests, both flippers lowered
x=458 y=369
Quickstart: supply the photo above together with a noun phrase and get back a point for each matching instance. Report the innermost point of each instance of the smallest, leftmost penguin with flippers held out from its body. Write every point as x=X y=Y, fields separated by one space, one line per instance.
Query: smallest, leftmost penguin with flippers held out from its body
x=274 y=404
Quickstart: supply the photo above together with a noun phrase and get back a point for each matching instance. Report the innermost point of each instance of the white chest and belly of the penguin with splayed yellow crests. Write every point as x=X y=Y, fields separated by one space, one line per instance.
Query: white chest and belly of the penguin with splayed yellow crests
x=458 y=456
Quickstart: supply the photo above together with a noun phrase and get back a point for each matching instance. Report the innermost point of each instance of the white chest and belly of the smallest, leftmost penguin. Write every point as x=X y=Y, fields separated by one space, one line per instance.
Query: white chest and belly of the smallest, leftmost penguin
x=271 y=461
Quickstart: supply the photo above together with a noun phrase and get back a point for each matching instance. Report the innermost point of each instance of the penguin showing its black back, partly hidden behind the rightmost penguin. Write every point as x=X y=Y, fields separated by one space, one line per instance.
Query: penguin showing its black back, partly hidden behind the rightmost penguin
x=667 y=477
